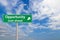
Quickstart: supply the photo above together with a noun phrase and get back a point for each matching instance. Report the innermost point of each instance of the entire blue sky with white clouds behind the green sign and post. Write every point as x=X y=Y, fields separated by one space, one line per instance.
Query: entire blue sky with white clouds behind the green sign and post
x=45 y=23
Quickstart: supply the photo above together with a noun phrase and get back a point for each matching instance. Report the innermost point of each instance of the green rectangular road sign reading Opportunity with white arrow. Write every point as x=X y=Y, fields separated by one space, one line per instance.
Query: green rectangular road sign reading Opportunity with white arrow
x=17 y=18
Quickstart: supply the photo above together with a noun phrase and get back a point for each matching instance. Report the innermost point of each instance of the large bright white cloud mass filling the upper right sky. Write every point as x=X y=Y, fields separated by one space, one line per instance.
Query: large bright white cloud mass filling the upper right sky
x=47 y=8
